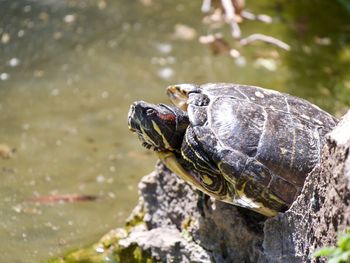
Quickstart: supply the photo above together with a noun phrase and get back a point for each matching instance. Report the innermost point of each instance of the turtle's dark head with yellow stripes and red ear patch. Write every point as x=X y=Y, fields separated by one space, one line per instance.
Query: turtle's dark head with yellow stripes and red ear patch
x=160 y=127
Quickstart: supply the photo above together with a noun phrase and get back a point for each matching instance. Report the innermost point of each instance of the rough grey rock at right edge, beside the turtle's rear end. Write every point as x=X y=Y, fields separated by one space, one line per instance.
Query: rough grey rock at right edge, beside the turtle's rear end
x=321 y=210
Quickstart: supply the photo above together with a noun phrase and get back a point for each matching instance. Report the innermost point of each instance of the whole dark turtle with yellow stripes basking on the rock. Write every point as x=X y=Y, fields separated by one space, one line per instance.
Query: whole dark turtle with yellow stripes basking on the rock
x=240 y=144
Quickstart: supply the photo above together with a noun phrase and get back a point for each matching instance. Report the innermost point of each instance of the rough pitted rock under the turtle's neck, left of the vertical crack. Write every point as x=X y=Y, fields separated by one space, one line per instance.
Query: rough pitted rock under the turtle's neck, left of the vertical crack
x=195 y=232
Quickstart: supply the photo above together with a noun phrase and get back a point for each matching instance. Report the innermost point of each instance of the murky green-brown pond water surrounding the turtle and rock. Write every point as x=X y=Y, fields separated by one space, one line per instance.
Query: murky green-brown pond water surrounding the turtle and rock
x=69 y=71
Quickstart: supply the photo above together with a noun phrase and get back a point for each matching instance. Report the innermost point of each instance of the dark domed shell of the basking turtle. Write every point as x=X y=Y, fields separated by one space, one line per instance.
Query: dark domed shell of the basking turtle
x=263 y=142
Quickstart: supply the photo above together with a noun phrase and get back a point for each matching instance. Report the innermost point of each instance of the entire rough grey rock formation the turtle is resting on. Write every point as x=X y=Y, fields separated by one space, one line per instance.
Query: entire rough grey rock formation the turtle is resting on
x=181 y=225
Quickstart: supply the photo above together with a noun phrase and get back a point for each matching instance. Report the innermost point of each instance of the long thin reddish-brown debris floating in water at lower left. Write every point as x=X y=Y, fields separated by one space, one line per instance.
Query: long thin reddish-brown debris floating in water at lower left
x=64 y=198
